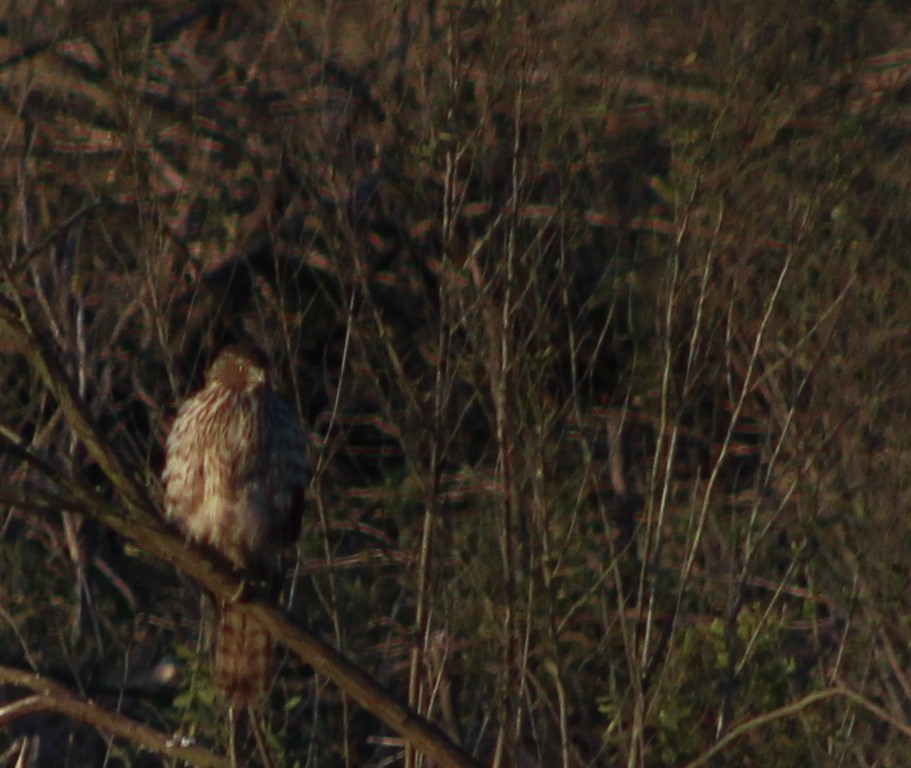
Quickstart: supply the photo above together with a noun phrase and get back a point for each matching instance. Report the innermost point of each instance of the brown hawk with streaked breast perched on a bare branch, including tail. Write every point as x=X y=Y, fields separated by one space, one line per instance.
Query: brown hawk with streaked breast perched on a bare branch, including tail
x=234 y=478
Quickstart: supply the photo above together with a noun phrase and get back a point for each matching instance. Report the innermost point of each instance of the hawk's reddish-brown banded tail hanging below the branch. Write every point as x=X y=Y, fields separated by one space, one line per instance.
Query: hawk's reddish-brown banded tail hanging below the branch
x=243 y=650
